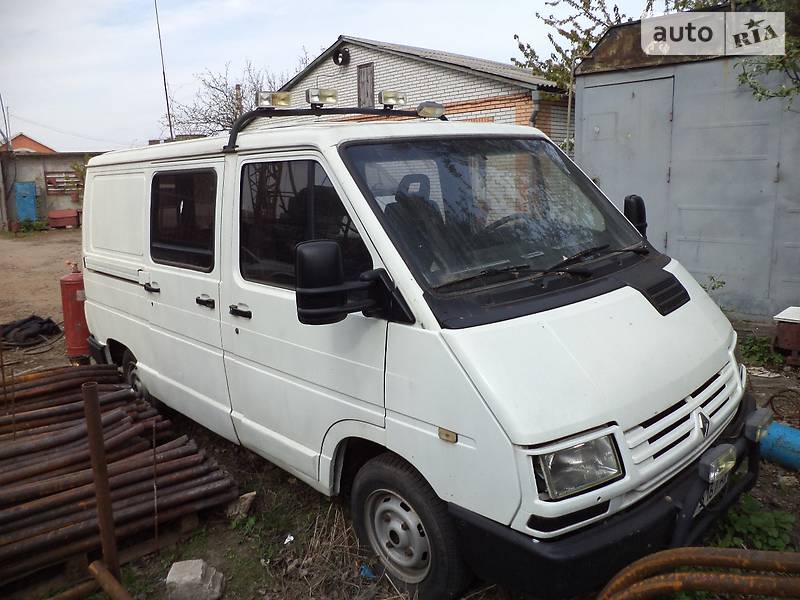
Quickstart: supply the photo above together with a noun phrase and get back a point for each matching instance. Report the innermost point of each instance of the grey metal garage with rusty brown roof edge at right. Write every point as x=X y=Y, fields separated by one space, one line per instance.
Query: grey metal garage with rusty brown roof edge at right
x=716 y=167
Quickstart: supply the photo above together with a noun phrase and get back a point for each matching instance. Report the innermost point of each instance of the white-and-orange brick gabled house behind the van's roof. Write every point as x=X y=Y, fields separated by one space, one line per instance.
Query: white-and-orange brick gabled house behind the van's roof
x=472 y=89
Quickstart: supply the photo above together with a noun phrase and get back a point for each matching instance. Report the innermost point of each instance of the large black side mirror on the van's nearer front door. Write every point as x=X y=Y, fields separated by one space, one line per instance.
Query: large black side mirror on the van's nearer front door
x=322 y=293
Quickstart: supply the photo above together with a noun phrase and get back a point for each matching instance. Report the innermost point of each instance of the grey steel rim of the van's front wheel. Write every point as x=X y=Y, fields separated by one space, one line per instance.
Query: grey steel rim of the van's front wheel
x=397 y=535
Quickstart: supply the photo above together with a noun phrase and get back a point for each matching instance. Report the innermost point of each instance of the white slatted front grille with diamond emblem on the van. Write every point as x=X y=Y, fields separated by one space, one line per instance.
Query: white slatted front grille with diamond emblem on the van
x=654 y=439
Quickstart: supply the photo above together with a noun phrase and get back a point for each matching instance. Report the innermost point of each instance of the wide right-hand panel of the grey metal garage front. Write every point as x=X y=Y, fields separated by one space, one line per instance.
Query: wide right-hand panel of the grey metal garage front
x=723 y=187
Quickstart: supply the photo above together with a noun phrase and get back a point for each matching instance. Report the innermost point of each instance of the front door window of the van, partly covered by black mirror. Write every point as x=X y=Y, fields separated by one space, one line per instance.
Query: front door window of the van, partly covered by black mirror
x=287 y=202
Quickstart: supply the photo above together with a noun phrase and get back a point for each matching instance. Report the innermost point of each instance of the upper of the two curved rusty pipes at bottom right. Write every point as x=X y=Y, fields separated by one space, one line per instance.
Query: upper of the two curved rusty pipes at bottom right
x=733 y=558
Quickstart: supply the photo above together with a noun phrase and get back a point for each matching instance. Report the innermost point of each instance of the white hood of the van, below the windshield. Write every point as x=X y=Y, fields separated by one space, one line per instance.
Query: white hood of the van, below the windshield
x=609 y=359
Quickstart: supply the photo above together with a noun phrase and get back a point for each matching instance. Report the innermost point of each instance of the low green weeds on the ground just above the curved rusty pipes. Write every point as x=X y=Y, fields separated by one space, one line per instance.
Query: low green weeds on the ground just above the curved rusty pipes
x=749 y=525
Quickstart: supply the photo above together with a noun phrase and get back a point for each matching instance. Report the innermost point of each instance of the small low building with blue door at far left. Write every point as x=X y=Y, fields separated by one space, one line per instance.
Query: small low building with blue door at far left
x=40 y=183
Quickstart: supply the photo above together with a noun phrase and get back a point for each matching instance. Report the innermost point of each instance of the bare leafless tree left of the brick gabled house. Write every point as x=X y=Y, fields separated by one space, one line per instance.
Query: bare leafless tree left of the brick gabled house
x=222 y=97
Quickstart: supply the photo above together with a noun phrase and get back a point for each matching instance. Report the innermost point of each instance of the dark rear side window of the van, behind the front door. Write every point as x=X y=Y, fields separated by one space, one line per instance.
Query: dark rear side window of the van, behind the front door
x=182 y=219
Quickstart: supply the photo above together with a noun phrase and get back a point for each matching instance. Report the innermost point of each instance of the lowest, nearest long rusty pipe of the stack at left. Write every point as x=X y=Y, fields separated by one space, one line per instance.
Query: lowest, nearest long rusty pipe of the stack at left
x=12 y=571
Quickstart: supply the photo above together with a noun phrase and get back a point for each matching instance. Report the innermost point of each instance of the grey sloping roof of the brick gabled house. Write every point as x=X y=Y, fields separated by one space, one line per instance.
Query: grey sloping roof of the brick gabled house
x=477 y=66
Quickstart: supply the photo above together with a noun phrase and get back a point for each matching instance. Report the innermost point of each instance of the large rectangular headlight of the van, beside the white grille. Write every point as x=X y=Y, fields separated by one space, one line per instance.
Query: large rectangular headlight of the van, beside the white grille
x=578 y=468
